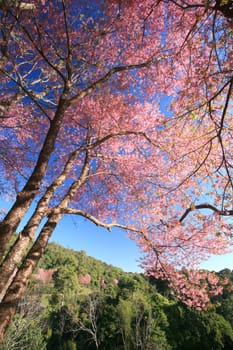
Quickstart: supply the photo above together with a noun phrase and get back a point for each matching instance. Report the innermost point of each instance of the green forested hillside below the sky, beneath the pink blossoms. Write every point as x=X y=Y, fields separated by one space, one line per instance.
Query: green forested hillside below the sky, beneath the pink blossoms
x=75 y=302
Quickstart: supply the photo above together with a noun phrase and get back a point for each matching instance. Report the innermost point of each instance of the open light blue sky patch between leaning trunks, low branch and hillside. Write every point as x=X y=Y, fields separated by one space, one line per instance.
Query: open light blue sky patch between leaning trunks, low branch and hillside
x=114 y=247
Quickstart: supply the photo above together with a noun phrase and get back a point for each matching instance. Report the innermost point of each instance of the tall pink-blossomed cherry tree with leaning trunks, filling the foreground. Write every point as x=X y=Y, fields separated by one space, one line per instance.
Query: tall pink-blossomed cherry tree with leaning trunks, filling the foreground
x=119 y=112
